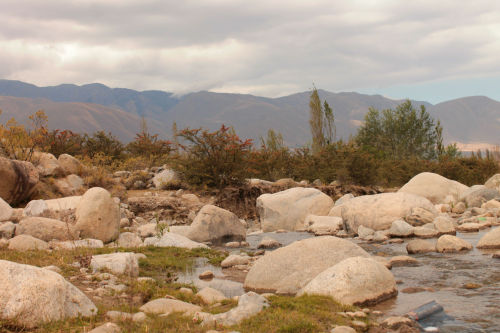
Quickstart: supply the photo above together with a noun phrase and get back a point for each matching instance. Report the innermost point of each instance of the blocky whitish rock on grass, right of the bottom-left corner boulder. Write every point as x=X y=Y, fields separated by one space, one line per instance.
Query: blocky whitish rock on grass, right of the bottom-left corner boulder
x=122 y=263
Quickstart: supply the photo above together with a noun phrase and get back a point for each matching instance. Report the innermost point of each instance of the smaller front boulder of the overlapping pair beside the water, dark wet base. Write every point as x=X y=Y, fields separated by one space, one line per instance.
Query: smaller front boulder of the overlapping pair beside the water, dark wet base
x=354 y=281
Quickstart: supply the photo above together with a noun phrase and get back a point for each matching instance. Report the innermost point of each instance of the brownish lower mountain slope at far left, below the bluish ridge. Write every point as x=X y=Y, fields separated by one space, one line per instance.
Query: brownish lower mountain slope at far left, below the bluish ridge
x=78 y=117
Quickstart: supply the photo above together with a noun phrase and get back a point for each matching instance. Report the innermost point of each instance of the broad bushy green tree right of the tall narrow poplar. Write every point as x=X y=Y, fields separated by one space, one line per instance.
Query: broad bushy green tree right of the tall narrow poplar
x=401 y=133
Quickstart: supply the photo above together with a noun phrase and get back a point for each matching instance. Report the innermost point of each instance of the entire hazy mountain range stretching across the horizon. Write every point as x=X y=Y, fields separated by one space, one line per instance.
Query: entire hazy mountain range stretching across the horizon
x=471 y=121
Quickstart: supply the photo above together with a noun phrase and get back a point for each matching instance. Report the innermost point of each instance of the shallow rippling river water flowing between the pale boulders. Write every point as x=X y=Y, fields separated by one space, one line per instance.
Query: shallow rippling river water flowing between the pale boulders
x=443 y=275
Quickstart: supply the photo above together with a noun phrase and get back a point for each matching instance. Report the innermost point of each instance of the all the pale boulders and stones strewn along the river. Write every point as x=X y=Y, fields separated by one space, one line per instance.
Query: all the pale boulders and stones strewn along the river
x=428 y=207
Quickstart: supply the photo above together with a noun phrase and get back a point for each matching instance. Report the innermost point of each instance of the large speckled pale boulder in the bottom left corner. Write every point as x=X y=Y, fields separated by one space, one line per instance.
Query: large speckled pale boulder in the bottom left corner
x=31 y=295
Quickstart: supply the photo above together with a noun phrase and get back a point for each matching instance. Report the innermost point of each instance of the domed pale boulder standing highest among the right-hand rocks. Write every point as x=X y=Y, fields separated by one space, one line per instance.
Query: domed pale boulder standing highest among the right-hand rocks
x=434 y=187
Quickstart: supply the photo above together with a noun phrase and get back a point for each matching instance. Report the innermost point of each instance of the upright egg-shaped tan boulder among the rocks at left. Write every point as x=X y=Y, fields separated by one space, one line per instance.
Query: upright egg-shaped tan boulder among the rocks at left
x=98 y=215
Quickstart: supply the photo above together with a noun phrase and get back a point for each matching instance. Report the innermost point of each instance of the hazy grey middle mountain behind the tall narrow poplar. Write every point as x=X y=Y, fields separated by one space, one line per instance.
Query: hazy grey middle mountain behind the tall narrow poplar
x=253 y=116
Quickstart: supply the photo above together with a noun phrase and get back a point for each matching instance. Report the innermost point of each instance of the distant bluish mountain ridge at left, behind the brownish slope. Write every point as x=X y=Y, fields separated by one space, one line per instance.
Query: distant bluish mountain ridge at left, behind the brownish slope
x=151 y=103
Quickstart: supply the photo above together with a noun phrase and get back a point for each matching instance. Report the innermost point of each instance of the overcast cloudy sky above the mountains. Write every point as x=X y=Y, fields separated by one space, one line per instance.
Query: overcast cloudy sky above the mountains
x=428 y=50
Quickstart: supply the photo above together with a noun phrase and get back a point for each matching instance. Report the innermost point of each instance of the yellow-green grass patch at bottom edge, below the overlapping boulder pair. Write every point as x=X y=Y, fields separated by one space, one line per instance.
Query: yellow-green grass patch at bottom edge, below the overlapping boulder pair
x=302 y=314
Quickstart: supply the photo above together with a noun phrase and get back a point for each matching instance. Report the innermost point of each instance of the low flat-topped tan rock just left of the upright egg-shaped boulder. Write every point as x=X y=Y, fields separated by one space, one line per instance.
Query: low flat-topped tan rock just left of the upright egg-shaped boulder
x=45 y=229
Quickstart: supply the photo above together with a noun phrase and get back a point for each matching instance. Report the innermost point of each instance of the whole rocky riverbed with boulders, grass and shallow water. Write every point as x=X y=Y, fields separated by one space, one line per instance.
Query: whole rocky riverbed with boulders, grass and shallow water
x=162 y=260
